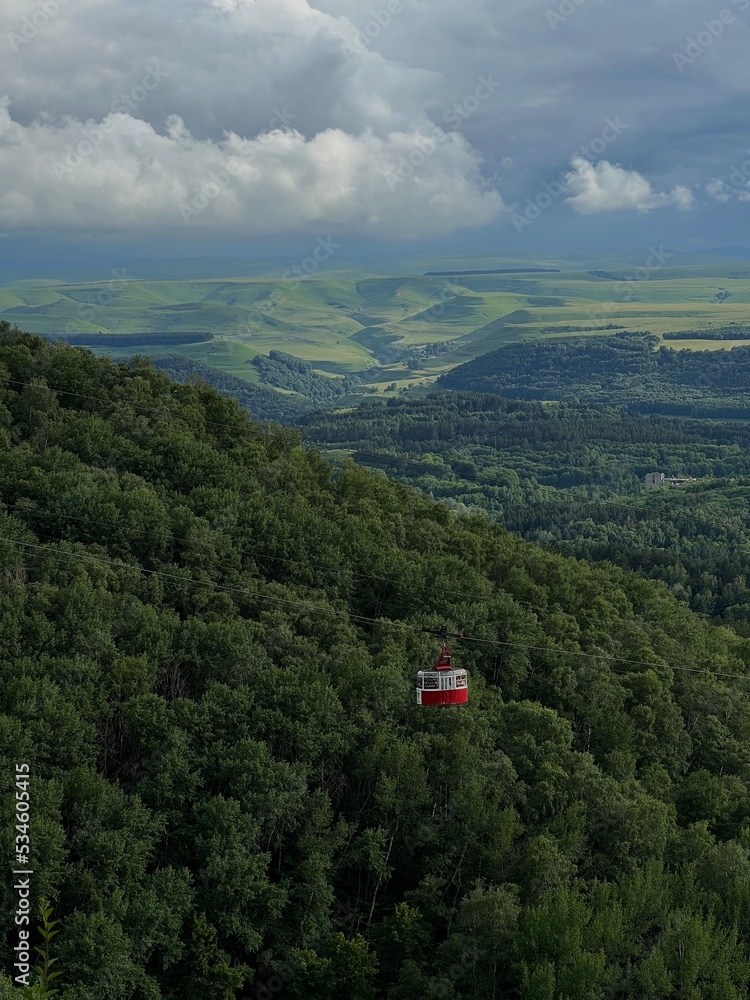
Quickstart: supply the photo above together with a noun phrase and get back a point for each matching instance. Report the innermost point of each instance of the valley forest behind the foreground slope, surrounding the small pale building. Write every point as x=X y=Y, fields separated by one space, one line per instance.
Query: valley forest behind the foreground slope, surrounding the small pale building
x=570 y=475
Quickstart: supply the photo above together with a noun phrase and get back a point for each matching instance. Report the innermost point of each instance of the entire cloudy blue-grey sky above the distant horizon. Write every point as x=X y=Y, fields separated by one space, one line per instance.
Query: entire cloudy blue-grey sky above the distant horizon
x=197 y=126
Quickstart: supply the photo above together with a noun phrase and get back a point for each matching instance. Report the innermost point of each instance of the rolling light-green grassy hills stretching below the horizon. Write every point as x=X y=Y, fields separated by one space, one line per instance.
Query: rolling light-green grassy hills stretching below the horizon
x=355 y=319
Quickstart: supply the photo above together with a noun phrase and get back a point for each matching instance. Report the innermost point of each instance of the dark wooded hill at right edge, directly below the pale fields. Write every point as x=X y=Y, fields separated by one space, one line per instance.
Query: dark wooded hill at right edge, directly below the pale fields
x=622 y=369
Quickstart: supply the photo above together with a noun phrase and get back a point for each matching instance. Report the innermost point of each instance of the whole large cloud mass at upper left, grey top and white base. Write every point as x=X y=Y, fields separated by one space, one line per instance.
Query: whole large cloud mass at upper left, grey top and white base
x=245 y=117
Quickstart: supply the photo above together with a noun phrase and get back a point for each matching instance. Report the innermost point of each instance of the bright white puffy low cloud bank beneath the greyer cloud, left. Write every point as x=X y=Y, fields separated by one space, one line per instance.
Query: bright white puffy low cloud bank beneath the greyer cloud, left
x=121 y=172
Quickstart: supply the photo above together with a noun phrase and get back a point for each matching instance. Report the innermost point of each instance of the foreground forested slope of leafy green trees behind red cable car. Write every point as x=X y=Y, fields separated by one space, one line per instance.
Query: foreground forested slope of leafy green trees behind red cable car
x=207 y=653
